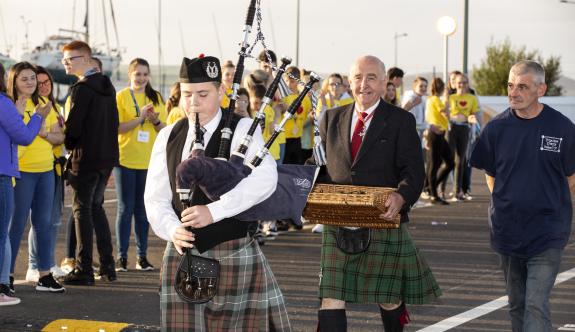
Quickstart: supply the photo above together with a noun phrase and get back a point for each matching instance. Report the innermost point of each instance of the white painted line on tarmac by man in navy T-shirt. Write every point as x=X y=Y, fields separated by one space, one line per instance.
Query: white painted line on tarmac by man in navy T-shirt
x=485 y=309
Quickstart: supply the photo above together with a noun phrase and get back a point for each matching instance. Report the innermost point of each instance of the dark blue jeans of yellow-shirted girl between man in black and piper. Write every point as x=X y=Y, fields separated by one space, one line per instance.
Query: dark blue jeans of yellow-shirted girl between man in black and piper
x=130 y=185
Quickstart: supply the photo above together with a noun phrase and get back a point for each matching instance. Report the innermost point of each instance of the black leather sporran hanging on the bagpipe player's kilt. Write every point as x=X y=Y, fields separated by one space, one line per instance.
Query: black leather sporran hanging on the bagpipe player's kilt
x=197 y=279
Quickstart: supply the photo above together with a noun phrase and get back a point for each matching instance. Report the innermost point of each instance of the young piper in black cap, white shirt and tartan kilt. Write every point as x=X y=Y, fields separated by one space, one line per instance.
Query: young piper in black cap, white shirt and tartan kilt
x=247 y=296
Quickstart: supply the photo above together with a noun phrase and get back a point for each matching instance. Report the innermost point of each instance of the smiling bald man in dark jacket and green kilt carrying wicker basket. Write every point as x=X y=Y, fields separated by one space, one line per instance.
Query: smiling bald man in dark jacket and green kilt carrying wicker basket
x=373 y=143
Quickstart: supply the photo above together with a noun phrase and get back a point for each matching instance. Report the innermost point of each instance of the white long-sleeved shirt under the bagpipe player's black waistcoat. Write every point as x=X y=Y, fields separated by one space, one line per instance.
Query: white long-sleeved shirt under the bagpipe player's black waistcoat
x=253 y=189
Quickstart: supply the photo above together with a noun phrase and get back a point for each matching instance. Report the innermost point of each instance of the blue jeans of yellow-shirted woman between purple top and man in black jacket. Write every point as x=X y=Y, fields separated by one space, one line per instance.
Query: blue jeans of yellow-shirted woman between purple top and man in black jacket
x=33 y=191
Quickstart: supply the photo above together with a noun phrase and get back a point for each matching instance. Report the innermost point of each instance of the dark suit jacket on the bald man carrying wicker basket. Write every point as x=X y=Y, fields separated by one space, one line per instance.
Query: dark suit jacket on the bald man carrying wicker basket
x=390 y=154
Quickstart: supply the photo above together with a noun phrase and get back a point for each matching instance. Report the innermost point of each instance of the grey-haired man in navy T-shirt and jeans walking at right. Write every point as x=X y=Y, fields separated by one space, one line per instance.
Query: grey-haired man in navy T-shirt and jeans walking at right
x=528 y=155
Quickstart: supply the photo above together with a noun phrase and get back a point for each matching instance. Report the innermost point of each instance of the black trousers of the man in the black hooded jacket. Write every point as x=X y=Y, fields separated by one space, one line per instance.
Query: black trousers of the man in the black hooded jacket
x=89 y=217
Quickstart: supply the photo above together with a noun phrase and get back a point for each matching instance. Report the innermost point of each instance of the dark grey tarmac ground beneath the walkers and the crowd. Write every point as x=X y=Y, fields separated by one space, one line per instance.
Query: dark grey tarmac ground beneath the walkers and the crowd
x=454 y=240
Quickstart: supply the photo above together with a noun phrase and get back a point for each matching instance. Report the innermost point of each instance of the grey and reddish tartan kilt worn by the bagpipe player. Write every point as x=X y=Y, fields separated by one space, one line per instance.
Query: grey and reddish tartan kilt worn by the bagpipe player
x=248 y=297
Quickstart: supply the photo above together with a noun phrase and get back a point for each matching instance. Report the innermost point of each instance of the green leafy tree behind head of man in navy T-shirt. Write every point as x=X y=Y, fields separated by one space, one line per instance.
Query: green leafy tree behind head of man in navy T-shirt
x=490 y=79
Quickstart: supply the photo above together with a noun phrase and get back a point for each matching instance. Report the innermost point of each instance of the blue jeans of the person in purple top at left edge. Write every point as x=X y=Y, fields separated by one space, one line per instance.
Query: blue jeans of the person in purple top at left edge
x=6 y=209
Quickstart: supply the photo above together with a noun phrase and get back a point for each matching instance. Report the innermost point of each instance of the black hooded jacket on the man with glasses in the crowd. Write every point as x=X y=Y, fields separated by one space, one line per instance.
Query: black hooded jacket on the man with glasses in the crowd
x=92 y=125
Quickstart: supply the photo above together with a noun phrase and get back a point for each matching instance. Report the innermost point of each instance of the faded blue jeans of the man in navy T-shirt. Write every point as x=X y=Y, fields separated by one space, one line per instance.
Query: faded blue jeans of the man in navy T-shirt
x=529 y=282
